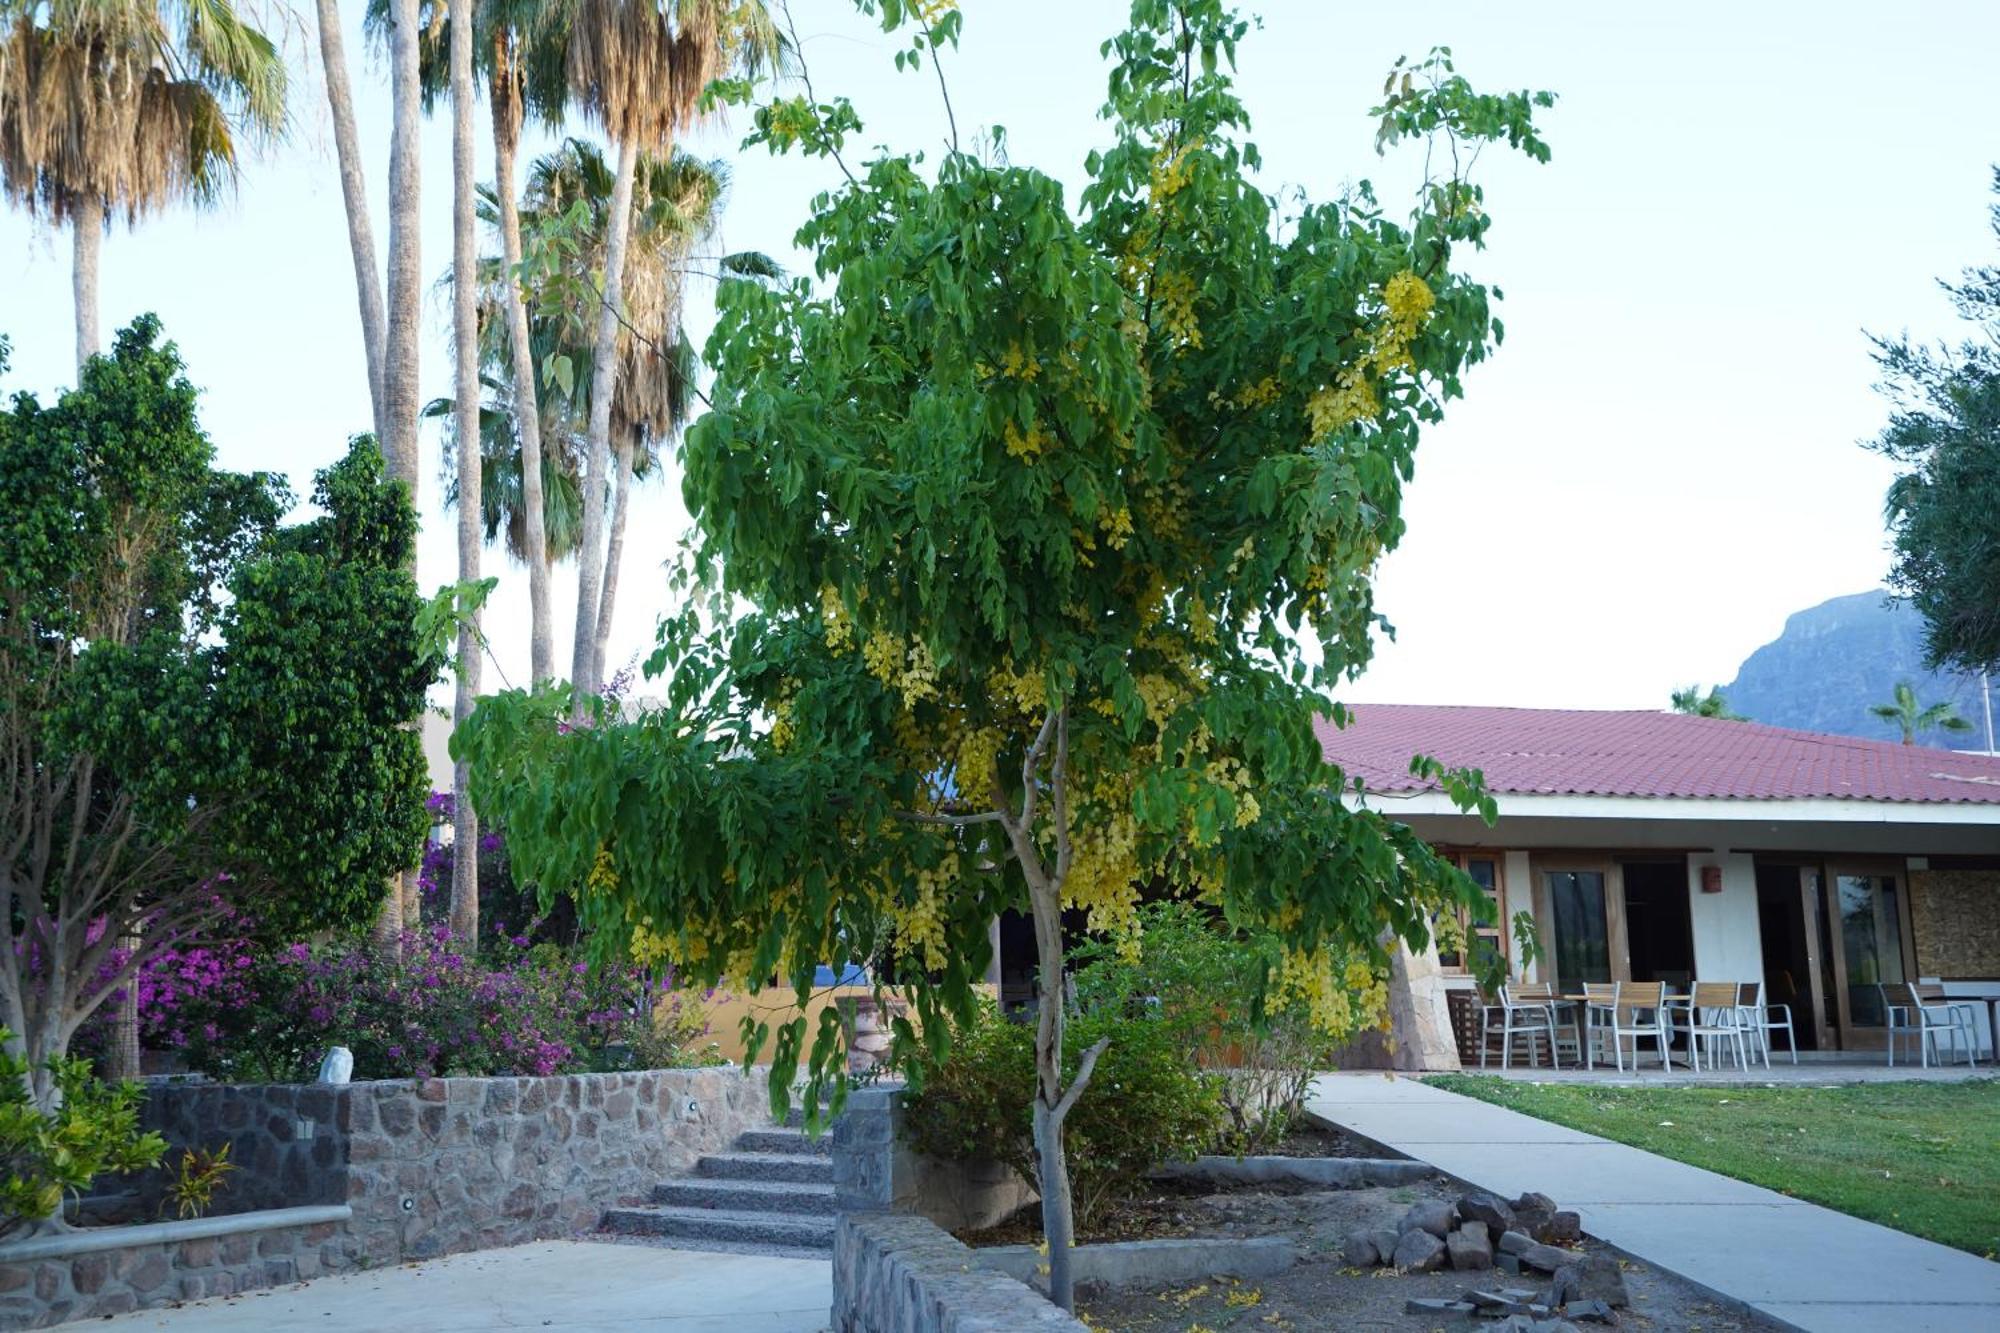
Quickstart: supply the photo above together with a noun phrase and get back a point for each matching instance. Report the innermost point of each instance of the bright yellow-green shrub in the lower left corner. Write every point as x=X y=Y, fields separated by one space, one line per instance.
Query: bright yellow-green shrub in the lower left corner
x=51 y=1154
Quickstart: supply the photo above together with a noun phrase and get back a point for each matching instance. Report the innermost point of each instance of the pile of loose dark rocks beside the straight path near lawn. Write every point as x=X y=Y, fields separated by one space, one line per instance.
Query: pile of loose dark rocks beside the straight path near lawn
x=1485 y=1232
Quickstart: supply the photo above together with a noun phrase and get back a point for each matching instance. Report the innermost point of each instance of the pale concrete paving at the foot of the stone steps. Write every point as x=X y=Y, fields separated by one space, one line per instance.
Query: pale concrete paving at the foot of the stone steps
x=567 y=1286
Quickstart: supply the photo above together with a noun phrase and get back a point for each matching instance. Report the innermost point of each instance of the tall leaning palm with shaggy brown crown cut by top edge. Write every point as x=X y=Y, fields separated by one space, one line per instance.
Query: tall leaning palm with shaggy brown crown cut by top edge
x=639 y=69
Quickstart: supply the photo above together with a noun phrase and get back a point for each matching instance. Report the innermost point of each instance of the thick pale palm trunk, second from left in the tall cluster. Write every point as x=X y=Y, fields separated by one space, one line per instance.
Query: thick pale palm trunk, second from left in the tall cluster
x=405 y=251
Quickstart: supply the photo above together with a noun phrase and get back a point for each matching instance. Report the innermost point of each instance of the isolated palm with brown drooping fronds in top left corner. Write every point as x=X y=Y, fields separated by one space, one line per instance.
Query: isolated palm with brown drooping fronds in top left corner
x=127 y=107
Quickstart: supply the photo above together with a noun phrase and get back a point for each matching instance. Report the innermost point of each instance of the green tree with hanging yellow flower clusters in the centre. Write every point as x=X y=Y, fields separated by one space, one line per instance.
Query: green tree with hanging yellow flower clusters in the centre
x=1021 y=531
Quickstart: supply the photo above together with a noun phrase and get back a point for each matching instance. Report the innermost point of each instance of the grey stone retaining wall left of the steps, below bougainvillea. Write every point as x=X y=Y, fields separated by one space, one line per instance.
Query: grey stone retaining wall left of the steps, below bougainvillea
x=429 y=1168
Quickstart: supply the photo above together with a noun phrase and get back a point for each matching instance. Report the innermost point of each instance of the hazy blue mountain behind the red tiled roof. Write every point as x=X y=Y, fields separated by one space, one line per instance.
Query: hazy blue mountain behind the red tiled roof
x=1837 y=659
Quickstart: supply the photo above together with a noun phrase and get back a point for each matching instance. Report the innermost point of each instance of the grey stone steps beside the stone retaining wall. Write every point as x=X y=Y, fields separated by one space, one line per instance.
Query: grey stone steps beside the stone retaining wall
x=773 y=1194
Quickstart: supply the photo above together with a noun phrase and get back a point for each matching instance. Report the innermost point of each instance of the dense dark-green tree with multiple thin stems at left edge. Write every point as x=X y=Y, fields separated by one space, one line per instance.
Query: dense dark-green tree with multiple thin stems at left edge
x=203 y=710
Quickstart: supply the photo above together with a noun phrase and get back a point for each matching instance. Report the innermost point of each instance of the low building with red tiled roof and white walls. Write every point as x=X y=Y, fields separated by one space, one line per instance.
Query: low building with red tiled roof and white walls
x=1667 y=848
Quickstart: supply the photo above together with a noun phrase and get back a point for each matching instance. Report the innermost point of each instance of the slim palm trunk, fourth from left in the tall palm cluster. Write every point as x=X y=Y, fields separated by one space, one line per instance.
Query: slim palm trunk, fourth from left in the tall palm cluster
x=527 y=407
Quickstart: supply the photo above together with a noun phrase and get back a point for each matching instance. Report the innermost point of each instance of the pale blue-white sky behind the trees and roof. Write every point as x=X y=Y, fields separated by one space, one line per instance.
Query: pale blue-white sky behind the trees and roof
x=1653 y=473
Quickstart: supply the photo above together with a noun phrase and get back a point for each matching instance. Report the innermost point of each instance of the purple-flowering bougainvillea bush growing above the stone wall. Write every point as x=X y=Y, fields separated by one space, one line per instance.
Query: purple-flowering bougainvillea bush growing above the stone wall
x=431 y=1008
